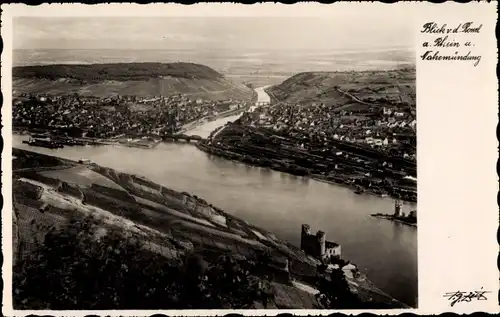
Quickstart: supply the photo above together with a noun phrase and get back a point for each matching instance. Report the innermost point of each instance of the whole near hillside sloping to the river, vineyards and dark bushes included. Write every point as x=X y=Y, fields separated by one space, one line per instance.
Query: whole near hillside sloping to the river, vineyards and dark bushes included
x=102 y=223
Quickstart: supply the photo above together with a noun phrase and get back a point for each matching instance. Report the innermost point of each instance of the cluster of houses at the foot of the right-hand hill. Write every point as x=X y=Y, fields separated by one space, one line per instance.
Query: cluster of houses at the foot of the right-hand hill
x=391 y=129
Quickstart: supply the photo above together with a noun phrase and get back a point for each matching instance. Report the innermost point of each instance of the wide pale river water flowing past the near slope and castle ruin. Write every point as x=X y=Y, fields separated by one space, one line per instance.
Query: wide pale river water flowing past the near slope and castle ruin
x=280 y=203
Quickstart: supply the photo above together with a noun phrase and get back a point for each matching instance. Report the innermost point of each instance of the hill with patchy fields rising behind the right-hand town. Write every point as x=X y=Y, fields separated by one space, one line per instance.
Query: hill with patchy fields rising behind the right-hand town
x=348 y=90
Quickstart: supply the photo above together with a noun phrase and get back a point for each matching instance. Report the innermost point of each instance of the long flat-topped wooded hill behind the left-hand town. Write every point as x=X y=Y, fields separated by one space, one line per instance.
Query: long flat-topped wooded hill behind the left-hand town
x=139 y=79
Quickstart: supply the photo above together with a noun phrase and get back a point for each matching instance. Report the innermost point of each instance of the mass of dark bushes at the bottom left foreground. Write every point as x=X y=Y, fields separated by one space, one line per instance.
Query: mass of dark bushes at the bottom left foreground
x=80 y=267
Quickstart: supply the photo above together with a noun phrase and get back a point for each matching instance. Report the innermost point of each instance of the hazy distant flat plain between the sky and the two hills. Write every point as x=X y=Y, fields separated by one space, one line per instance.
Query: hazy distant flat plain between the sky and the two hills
x=255 y=67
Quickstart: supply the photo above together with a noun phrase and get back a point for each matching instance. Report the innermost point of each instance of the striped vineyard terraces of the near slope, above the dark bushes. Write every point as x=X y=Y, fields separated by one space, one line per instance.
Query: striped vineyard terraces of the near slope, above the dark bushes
x=204 y=225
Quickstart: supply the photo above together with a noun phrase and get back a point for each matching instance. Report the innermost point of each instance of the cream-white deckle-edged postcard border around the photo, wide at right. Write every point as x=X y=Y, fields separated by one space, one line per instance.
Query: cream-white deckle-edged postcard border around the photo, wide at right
x=457 y=147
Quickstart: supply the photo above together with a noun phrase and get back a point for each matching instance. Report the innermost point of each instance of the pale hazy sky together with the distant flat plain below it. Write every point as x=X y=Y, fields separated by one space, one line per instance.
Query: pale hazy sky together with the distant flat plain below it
x=234 y=45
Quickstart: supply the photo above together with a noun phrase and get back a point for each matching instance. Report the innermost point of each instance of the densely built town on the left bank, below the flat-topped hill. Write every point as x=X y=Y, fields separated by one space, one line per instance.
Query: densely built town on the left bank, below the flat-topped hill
x=118 y=115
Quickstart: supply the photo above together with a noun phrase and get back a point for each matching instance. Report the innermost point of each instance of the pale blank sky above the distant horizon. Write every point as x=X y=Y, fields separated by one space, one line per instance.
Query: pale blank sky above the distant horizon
x=342 y=29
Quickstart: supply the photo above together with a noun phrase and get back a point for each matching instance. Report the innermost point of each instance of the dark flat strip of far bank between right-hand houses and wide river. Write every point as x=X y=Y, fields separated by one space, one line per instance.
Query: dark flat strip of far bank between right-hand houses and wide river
x=344 y=164
